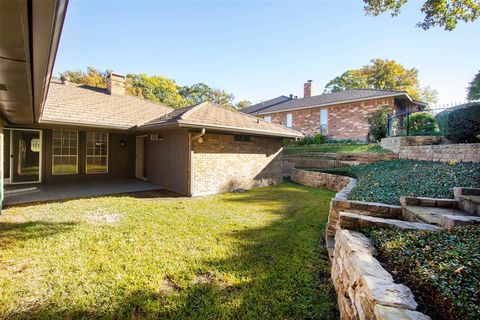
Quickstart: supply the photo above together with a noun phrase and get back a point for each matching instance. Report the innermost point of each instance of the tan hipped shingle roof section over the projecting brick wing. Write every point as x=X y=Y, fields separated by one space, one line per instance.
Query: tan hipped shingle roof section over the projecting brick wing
x=211 y=116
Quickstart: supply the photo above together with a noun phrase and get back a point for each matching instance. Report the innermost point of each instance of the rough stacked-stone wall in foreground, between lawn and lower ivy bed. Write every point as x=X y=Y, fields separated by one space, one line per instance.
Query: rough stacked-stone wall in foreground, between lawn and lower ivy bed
x=365 y=290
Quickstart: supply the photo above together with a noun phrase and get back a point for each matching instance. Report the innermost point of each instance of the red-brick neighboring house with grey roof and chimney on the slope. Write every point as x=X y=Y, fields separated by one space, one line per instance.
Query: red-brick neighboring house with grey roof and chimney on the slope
x=338 y=115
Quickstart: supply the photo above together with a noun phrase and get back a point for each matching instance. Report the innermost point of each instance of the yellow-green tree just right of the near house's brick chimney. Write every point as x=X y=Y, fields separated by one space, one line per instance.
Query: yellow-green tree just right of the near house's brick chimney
x=155 y=88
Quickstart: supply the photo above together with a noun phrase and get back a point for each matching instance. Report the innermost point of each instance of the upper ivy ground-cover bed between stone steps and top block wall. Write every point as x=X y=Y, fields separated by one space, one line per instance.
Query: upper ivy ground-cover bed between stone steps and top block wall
x=387 y=181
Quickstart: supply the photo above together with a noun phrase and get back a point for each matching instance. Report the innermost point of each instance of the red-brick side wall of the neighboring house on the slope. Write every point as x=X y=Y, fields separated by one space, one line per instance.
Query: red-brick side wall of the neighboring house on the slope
x=345 y=121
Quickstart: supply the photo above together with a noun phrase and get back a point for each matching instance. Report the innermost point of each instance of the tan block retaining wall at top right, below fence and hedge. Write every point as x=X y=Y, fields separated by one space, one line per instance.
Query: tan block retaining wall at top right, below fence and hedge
x=427 y=148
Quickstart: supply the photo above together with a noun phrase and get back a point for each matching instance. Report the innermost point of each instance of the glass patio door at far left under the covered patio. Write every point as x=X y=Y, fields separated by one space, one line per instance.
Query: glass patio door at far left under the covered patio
x=25 y=148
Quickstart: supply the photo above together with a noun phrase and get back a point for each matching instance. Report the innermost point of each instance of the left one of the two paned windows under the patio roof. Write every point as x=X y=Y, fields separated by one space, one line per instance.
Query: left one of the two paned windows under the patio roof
x=64 y=152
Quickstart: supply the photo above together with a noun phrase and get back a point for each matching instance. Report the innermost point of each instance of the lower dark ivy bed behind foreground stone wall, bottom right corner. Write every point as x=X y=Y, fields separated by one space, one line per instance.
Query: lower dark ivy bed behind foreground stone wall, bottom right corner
x=441 y=267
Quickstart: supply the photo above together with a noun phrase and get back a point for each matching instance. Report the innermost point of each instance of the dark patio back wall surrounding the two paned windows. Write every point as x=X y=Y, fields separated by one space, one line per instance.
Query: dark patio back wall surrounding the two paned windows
x=121 y=160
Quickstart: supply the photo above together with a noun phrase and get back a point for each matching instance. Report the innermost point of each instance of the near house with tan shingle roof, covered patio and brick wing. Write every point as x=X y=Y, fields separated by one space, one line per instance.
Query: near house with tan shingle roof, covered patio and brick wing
x=87 y=133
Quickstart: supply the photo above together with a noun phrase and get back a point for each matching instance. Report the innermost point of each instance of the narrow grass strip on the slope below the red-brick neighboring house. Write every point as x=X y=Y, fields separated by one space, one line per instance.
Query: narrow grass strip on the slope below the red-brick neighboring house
x=334 y=148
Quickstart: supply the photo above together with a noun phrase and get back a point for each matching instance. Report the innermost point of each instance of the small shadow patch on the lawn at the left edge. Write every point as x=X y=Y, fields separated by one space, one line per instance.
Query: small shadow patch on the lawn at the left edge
x=17 y=232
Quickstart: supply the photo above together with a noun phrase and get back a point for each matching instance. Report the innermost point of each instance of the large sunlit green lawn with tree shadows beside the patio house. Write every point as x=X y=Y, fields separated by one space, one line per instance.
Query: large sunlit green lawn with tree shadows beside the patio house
x=253 y=255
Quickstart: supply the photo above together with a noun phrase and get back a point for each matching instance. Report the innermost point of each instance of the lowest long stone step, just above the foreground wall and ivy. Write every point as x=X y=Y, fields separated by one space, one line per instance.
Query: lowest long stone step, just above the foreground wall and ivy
x=355 y=221
